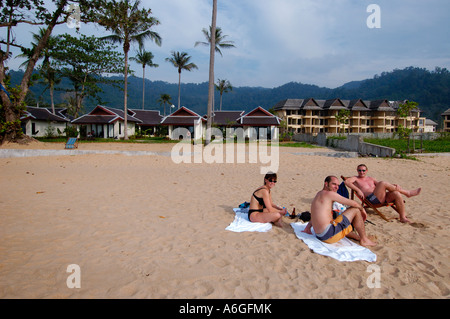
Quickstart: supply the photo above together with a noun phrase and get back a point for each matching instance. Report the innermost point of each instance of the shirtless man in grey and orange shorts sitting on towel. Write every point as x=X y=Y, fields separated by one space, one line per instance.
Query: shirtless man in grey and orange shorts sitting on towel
x=329 y=229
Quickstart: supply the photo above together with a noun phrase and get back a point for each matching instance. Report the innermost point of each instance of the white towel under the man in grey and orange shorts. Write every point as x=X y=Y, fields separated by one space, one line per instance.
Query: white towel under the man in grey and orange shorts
x=343 y=250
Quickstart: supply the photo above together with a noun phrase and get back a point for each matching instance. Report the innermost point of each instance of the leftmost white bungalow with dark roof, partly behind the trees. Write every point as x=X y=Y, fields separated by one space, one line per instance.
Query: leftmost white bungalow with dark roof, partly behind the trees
x=39 y=122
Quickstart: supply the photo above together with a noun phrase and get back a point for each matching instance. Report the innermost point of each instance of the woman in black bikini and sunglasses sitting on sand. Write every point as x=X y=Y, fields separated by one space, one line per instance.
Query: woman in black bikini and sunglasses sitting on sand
x=262 y=209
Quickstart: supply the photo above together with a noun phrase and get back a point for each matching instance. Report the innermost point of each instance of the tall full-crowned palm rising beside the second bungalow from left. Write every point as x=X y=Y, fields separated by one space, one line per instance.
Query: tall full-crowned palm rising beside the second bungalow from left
x=128 y=24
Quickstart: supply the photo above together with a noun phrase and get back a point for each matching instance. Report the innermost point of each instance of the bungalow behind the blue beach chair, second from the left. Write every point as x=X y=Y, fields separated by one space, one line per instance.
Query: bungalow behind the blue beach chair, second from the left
x=106 y=122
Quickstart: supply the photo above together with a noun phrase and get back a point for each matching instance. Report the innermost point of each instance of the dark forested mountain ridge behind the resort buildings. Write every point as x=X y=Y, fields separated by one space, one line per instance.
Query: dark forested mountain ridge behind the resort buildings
x=431 y=89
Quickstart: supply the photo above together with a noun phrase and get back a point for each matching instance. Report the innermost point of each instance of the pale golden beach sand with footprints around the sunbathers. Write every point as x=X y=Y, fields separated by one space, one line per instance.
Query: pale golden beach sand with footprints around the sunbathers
x=145 y=227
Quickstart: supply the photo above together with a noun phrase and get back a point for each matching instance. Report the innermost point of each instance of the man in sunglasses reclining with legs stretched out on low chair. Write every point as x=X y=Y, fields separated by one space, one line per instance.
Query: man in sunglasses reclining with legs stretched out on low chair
x=380 y=192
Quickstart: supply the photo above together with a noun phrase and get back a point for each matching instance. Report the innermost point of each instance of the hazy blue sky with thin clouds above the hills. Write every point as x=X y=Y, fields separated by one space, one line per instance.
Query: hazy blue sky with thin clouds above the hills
x=322 y=42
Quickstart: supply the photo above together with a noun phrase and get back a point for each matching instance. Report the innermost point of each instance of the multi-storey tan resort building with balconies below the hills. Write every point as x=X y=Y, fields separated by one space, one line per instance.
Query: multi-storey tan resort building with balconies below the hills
x=320 y=116
